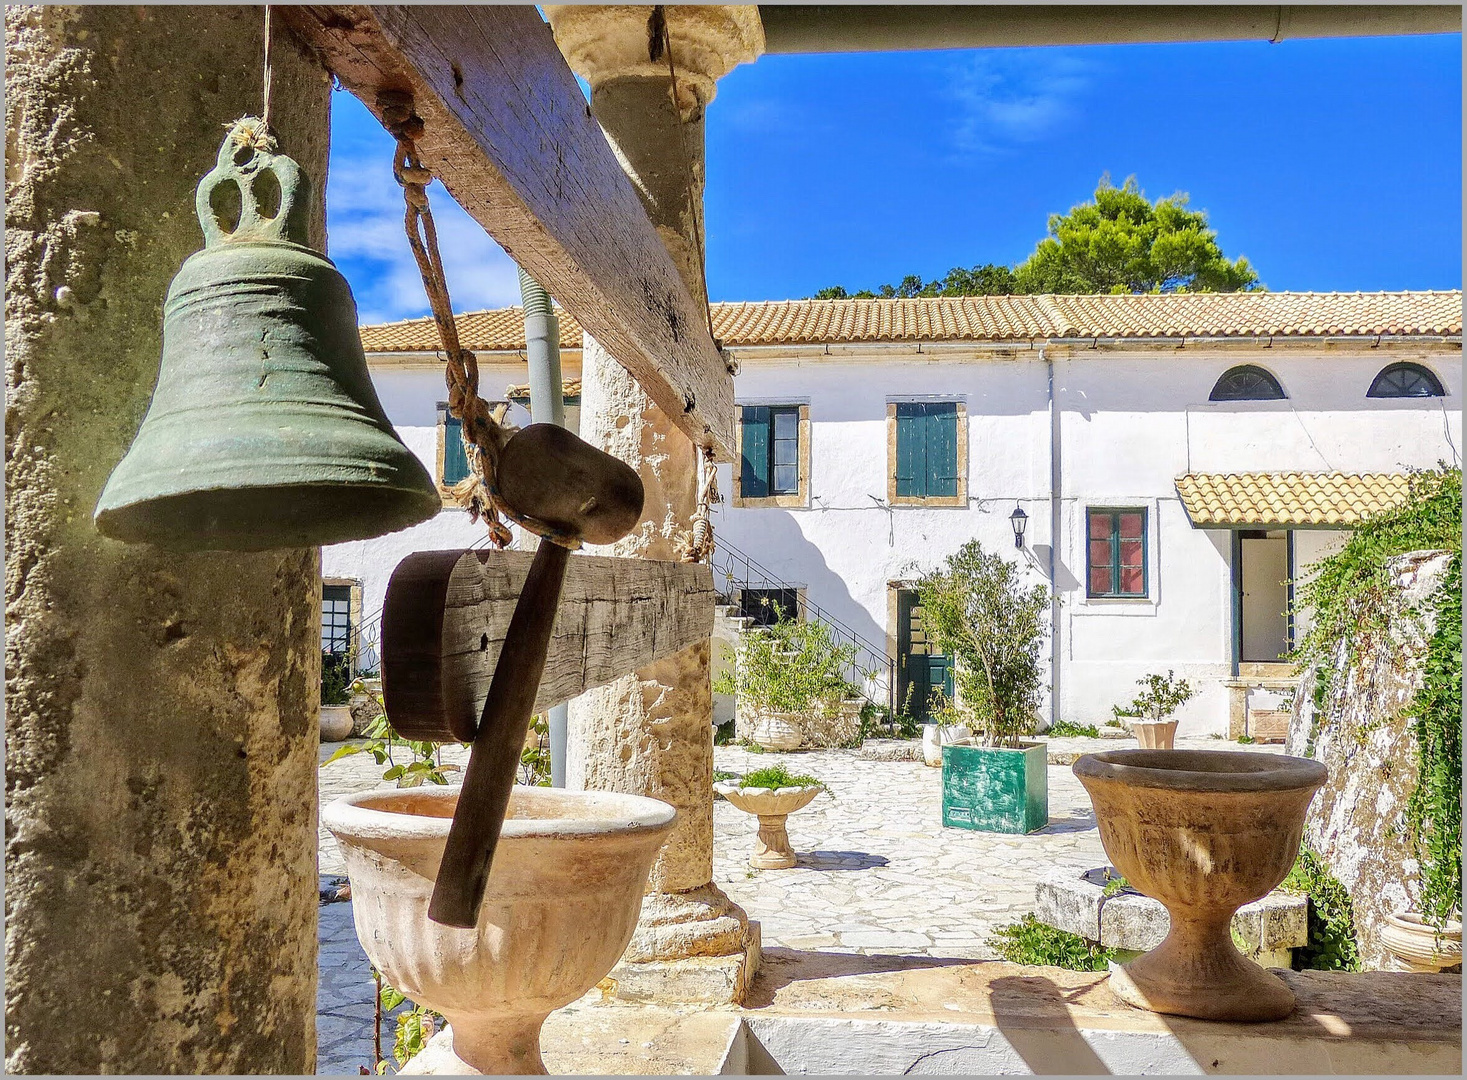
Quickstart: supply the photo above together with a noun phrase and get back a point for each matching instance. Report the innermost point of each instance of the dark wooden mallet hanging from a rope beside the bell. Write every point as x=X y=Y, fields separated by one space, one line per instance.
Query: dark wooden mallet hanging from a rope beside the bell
x=549 y=475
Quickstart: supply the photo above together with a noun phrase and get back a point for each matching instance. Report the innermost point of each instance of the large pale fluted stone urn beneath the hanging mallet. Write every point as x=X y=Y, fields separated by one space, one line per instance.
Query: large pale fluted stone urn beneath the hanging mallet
x=563 y=902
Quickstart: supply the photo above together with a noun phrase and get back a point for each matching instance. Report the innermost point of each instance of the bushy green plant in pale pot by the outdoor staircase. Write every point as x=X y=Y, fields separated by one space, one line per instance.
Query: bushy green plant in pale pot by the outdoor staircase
x=791 y=687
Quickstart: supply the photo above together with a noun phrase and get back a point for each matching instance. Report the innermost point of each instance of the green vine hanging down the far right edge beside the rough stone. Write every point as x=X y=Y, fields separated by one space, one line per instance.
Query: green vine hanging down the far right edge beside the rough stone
x=1435 y=811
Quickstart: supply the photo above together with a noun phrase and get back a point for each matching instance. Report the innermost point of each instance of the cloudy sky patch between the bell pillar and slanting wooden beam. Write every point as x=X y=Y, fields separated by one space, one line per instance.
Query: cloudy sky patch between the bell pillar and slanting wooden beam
x=367 y=241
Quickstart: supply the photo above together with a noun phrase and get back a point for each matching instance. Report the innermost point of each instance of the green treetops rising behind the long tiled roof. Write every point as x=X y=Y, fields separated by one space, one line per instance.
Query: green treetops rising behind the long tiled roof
x=1120 y=243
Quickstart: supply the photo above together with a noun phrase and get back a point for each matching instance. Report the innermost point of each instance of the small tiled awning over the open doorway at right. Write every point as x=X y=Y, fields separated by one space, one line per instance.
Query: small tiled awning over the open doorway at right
x=1290 y=498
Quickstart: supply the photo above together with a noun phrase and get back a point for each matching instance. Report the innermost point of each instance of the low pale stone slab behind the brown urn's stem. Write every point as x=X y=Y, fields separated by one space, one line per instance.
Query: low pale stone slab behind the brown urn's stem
x=1268 y=930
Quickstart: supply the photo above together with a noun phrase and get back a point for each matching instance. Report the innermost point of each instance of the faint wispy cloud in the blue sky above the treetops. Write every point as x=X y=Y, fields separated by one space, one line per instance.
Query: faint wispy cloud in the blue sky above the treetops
x=1011 y=98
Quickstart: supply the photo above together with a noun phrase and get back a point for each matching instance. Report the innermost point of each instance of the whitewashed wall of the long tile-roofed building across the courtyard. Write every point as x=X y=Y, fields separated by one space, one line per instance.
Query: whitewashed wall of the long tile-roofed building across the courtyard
x=1130 y=425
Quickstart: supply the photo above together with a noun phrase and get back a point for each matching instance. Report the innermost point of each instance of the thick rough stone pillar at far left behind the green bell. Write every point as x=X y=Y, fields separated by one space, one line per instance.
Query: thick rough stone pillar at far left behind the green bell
x=161 y=729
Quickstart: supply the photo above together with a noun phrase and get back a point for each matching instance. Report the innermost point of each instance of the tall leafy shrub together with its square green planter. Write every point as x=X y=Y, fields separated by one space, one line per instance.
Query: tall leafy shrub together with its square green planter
x=989 y=623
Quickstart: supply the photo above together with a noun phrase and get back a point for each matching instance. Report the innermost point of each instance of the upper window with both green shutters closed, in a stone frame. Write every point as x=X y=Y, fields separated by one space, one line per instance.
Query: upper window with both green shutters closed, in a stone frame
x=928 y=453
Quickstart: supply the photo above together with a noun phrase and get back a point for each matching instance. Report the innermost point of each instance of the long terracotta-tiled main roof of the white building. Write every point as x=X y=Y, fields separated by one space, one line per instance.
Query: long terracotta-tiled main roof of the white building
x=997 y=319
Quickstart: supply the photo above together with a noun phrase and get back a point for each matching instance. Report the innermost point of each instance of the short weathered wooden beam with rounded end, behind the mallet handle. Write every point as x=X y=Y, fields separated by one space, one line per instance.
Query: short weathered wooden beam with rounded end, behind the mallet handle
x=447 y=614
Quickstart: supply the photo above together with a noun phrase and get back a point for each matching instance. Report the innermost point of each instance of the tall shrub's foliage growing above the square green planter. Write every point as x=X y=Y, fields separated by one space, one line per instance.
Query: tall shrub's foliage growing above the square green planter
x=984 y=617
